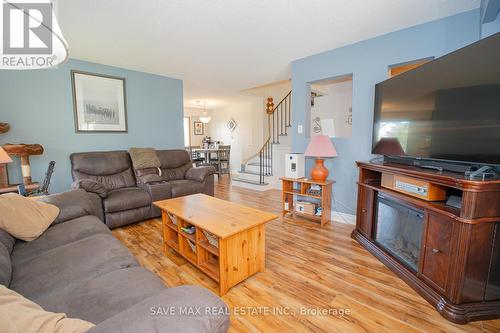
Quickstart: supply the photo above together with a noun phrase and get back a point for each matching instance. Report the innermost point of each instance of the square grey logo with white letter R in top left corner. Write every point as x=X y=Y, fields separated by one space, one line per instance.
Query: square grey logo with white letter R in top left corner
x=27 y=28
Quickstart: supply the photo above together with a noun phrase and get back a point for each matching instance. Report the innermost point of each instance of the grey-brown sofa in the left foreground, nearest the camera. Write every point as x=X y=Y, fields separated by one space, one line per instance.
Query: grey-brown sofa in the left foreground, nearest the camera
x=77 y=267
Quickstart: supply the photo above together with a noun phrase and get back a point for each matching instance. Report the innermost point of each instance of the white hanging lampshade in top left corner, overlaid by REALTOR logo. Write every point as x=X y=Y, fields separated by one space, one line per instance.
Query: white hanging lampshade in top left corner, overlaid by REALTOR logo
x=31 y=37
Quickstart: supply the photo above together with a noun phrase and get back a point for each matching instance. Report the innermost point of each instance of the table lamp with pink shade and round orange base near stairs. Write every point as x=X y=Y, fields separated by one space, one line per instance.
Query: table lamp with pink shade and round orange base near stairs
x=320 y=147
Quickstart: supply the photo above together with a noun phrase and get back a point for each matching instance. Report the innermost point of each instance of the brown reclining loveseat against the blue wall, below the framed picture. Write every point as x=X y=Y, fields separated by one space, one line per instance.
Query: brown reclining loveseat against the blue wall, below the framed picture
x=127 y=194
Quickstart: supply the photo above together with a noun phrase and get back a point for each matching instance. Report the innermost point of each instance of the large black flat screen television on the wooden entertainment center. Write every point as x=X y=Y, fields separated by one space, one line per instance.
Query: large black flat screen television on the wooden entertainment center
x=445 y=110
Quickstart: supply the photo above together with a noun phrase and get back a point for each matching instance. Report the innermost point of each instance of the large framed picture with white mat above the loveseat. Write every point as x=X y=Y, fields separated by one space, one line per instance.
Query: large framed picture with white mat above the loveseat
x=99 y=103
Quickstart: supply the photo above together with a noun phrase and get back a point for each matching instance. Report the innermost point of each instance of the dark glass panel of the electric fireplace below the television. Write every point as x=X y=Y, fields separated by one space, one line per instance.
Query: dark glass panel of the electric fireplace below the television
x=399 y=231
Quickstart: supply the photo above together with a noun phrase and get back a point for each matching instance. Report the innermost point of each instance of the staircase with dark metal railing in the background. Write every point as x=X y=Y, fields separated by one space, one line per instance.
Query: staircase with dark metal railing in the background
x=258 y=168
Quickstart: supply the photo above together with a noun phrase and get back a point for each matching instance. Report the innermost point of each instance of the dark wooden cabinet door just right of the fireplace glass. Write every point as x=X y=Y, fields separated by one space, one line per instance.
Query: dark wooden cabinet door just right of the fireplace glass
x=437 y=246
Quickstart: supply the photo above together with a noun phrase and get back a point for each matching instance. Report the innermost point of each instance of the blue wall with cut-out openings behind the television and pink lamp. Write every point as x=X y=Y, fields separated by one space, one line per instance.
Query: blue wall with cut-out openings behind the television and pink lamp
x=368 y=61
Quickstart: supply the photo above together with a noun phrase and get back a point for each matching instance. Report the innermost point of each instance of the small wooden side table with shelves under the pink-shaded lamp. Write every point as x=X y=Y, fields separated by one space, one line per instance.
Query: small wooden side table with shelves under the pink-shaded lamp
x=294 y=189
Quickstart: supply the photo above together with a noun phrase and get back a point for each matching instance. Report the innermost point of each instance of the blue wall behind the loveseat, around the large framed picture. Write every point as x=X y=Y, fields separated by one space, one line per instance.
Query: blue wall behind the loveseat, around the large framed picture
x=38 y=106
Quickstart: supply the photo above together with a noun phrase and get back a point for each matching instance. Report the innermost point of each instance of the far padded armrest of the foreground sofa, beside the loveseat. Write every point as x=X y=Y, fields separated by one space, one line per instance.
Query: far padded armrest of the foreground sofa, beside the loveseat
x=74 y=204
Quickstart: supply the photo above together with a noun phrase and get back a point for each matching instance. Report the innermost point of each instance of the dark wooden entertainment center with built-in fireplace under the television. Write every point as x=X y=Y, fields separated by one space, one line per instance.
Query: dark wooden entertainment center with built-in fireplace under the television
x=449 y=255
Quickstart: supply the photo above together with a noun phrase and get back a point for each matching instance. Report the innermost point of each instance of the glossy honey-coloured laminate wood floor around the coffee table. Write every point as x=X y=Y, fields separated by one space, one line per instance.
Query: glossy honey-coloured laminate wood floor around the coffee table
x=312 y=277
